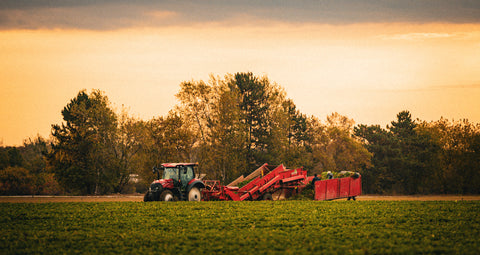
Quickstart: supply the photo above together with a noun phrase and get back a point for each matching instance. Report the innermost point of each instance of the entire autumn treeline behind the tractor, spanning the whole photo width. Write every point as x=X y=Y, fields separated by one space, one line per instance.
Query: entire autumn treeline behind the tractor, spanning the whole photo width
x=230 y=126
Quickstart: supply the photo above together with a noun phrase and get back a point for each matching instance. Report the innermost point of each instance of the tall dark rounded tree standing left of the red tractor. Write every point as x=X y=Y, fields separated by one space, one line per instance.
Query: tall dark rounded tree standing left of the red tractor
x=83 y=153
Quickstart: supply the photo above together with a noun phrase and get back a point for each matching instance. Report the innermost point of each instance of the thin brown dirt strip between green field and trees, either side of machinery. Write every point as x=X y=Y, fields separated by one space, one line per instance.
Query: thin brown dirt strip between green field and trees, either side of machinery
x=139 y=198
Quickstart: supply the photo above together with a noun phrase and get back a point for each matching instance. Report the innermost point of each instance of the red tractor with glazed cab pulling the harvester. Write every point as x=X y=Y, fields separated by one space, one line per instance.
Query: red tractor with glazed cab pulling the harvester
x=178 y=183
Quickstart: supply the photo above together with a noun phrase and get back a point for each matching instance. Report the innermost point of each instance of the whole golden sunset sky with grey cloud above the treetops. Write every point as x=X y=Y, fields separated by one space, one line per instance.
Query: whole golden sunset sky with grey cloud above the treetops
x=367 y=60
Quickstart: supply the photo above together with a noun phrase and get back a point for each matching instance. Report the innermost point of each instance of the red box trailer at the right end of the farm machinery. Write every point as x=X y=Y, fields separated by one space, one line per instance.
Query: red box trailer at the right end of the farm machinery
x=349 y=187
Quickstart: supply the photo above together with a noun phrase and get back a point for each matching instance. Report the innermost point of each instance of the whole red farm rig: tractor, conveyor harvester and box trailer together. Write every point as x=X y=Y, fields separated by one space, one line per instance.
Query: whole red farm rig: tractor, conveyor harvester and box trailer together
x=266 y=183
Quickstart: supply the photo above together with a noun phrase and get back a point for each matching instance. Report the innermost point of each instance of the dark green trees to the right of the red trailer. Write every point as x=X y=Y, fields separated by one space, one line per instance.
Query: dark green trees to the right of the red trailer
x=418 y=157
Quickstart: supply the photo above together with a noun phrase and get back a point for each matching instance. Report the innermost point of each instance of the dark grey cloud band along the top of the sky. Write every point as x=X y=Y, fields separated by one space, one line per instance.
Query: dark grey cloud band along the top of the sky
x=109 y=14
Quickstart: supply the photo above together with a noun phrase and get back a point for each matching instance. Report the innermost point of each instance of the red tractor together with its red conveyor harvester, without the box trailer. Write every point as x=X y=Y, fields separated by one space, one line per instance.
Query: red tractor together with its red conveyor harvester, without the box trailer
x=179 y=183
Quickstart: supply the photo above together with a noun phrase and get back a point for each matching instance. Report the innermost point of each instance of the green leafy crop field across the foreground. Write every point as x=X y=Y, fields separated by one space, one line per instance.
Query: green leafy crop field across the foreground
x=298 y=227
